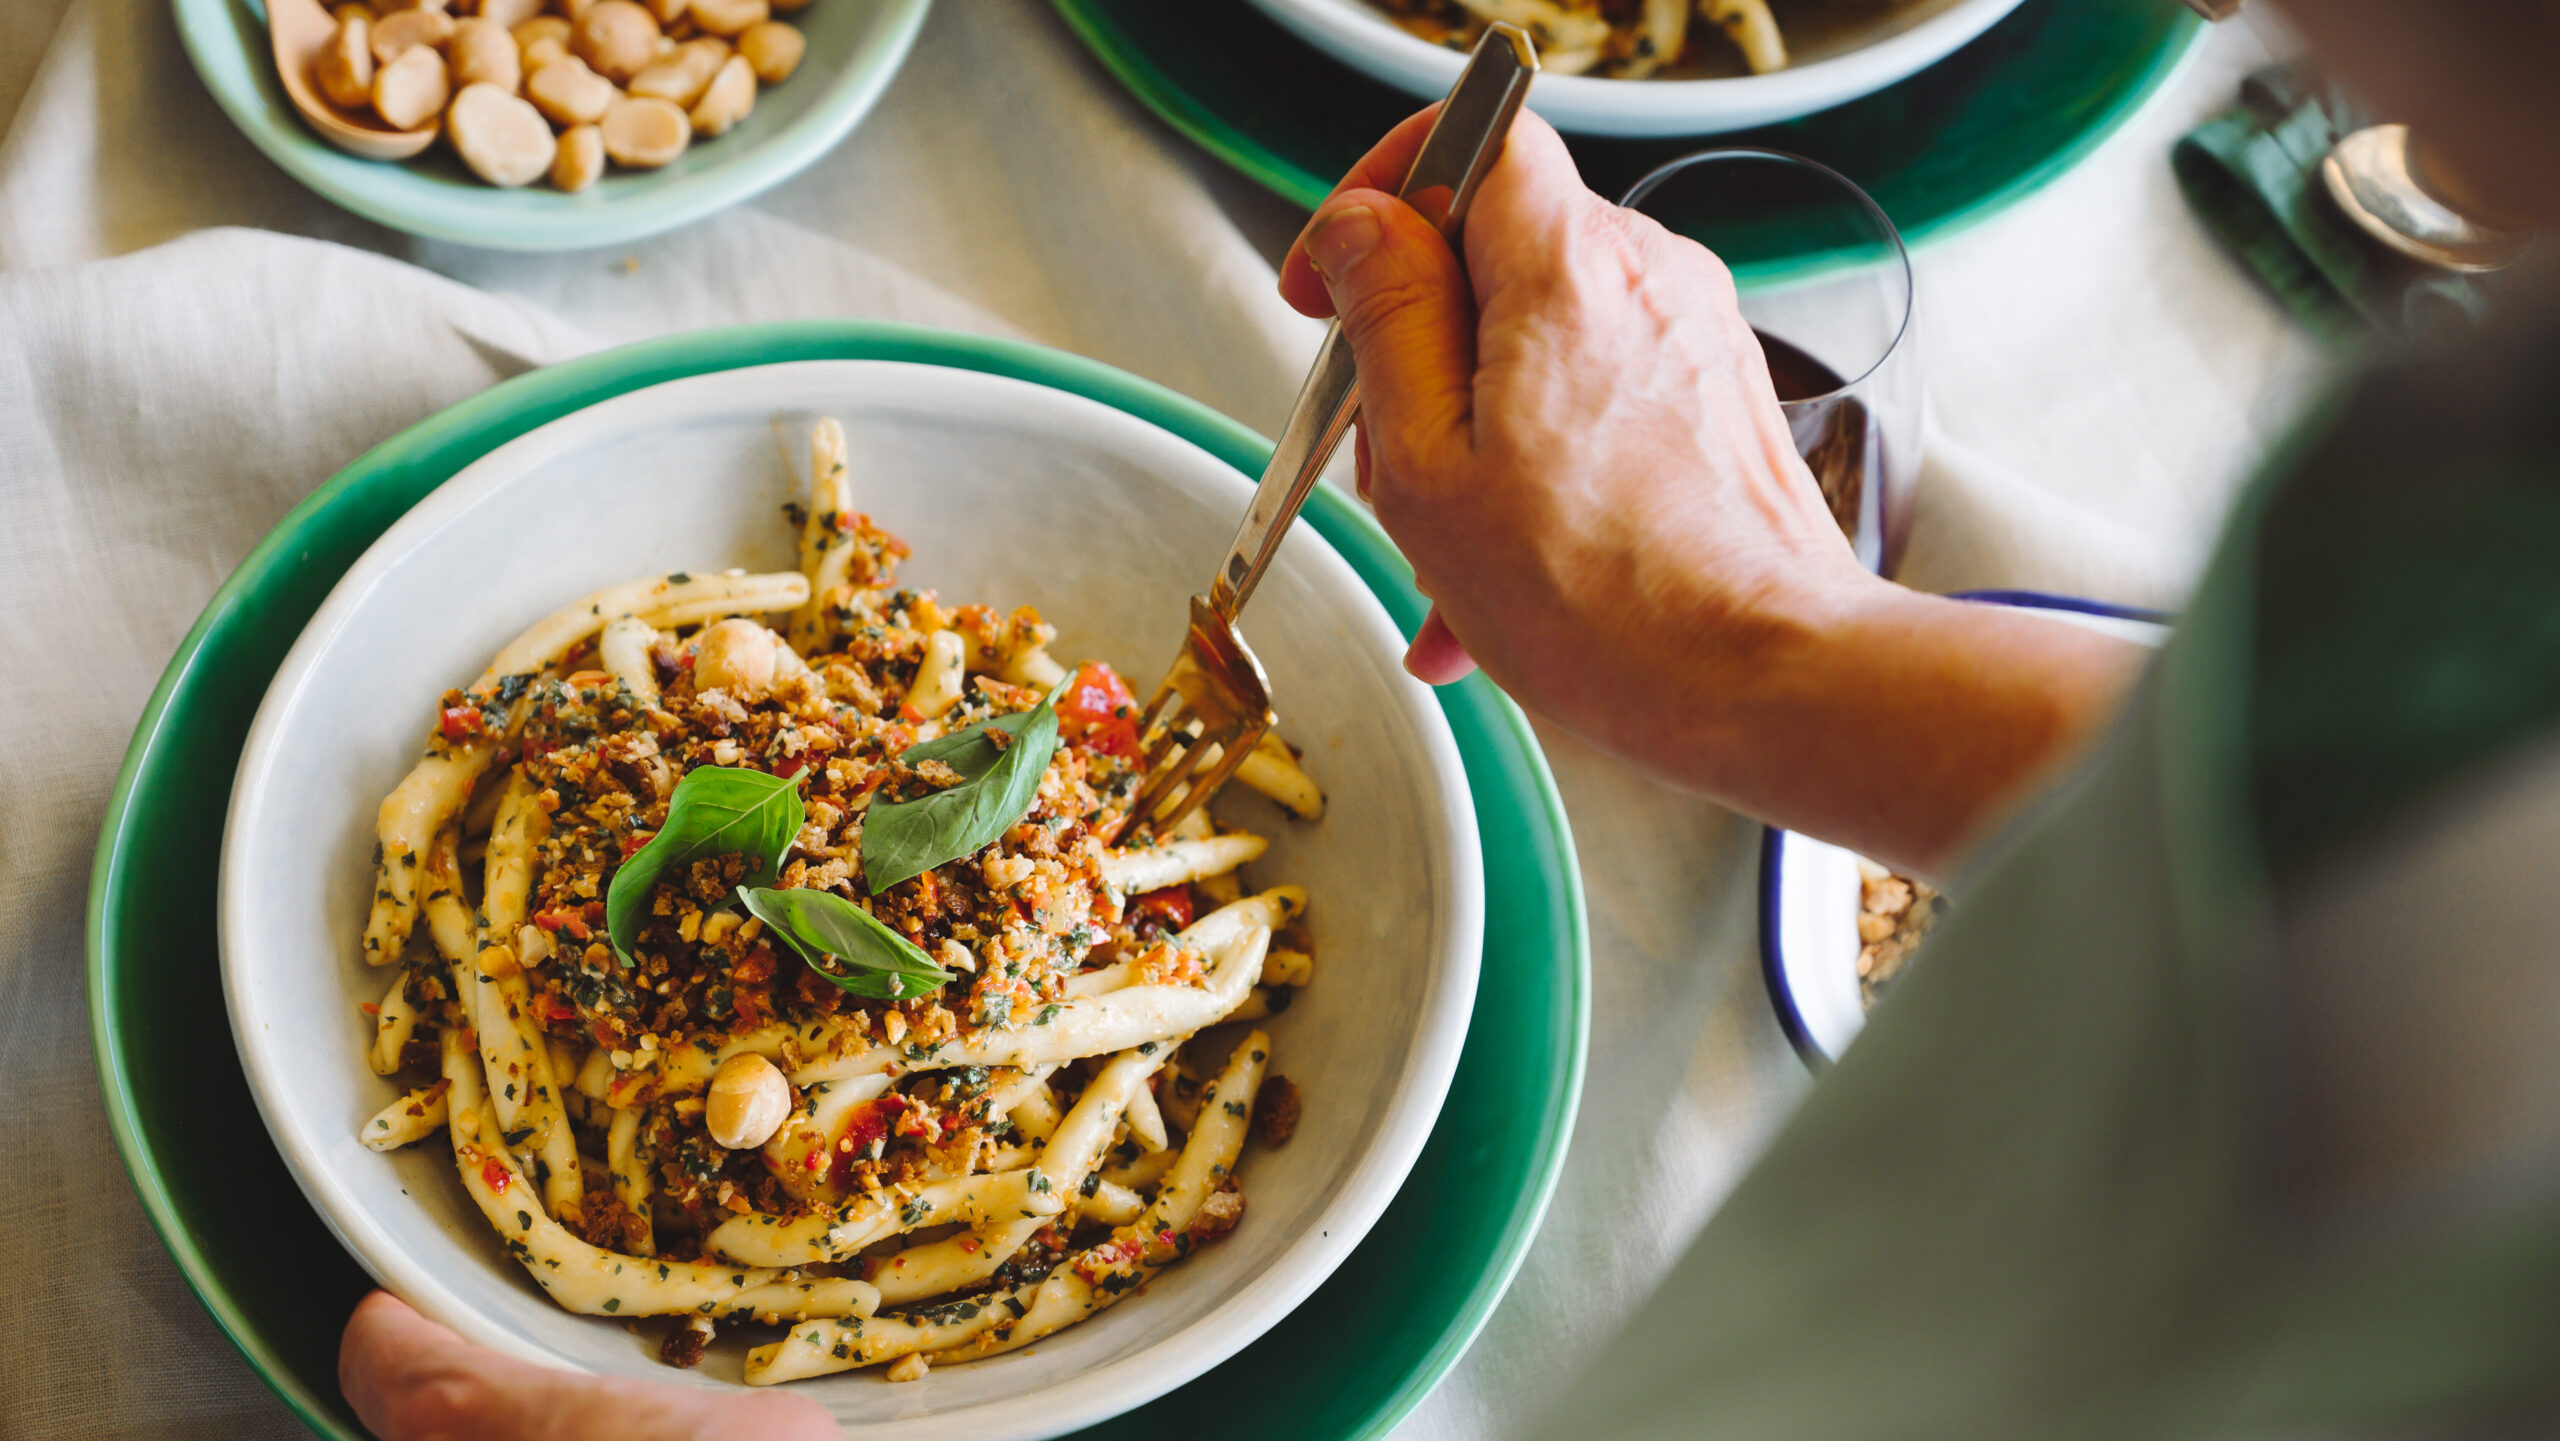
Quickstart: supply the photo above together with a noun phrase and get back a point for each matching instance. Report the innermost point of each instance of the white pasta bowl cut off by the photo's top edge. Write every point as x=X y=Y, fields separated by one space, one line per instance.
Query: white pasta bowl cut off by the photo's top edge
x=1839 y=65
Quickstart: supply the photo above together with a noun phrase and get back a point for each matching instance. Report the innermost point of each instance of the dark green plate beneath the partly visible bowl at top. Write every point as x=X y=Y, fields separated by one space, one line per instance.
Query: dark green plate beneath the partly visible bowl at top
x=1947 y=147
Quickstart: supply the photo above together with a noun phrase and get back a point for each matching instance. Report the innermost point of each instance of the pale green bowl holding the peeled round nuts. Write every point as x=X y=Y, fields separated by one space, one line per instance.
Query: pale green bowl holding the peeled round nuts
x=854 y=50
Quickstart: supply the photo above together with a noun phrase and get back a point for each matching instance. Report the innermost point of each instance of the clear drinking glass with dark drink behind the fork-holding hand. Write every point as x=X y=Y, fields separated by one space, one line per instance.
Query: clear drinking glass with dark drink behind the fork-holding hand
x=1827 y=285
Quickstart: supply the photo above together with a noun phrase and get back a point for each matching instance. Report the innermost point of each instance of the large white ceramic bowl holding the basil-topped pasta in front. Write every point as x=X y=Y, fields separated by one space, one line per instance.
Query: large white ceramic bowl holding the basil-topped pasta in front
x=1012 y=495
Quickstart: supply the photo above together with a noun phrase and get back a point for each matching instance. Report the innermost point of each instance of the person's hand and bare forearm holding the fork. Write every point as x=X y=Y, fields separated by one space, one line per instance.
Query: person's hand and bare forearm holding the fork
x=1578 y=447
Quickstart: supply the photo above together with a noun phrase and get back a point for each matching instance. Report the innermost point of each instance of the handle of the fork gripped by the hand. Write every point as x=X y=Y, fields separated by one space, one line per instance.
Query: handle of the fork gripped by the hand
x=1463 y=145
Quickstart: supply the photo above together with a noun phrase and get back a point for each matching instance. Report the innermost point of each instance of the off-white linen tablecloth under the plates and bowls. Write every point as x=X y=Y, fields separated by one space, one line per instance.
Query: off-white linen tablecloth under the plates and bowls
x=191 y=344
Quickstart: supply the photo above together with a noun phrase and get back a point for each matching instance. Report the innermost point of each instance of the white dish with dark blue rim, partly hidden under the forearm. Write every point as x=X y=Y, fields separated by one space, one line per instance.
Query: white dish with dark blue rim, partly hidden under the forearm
x=1811 y=889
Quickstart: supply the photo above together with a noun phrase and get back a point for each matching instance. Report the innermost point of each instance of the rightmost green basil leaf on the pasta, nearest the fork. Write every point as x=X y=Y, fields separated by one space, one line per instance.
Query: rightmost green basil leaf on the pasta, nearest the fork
x=997 y=787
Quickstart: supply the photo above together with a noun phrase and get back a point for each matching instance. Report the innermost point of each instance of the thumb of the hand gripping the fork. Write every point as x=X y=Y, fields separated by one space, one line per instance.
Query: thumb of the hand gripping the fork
x=1409 y=316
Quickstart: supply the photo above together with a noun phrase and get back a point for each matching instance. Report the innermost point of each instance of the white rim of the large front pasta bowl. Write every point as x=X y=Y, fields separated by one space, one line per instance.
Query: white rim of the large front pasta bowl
x=1100 y=1394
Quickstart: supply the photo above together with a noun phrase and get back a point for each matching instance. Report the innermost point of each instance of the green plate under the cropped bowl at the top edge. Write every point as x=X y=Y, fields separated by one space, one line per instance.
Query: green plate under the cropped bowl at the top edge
x=2126 y=52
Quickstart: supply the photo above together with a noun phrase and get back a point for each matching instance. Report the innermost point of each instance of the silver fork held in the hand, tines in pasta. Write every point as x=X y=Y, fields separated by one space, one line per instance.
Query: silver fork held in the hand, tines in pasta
x=1215 y=705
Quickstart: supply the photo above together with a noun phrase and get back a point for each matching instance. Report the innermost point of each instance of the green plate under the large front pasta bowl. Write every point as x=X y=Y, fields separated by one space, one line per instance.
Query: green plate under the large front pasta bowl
x=152 y=892
